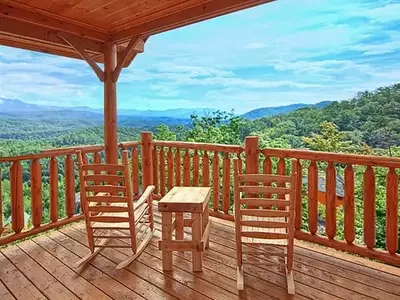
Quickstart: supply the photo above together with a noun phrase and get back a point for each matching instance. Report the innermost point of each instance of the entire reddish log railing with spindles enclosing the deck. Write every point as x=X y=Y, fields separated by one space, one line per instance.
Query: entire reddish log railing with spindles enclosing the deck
x=170 y=163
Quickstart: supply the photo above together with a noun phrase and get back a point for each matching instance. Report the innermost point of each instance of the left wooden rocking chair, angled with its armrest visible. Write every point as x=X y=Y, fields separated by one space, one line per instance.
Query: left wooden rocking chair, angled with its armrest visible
x=110 y=211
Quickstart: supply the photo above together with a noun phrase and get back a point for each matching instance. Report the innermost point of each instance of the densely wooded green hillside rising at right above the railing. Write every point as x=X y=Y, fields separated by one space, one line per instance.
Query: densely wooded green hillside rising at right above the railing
x=370 y=117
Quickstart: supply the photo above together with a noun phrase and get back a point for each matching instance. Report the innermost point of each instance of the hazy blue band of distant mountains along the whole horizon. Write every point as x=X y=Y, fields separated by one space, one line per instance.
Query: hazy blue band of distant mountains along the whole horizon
x=22 y=109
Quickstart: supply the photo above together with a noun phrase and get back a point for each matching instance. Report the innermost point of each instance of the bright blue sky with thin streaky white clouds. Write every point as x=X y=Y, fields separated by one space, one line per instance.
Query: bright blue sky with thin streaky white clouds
x=280 y=53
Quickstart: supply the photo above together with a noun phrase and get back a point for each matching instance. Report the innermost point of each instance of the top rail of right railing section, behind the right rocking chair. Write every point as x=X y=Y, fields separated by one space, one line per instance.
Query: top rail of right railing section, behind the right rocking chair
x=356 y=159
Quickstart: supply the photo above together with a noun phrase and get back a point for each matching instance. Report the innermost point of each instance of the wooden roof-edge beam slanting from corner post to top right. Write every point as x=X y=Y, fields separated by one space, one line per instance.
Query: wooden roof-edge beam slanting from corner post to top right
x=188 y=16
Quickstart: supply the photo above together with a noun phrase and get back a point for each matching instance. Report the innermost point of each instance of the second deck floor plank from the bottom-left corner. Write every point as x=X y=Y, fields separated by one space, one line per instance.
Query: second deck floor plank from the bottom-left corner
x=16 y=282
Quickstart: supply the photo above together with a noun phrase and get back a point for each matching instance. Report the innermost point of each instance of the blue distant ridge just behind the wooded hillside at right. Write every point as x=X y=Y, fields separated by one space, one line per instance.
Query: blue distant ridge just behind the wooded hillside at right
x=273 y=111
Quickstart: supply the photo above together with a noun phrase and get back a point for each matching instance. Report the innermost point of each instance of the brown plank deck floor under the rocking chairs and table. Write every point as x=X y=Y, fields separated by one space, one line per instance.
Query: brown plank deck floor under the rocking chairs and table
x=40 y=269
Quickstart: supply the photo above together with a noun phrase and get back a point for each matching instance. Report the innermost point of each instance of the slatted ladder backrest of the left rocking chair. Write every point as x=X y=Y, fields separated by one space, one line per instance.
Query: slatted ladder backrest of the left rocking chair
x=106 y=197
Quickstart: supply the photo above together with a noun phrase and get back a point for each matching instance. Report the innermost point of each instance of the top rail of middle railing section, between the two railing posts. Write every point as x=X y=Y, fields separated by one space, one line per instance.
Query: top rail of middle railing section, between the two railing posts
x=200 y=146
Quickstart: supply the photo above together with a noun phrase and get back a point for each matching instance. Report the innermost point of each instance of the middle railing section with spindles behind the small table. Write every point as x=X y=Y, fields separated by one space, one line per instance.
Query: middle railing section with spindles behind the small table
x=196 y=164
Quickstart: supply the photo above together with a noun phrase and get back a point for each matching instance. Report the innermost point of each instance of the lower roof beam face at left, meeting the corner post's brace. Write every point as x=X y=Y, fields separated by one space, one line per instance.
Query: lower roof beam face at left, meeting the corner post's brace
x=34 y=32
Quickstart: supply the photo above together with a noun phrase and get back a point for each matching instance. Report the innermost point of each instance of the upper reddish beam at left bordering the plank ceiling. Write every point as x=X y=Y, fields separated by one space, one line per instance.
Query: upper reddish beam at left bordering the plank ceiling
x=11 y=11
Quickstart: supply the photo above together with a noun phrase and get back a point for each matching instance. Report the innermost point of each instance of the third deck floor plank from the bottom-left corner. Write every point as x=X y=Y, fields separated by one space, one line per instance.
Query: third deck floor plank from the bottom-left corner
x=43 y=280
